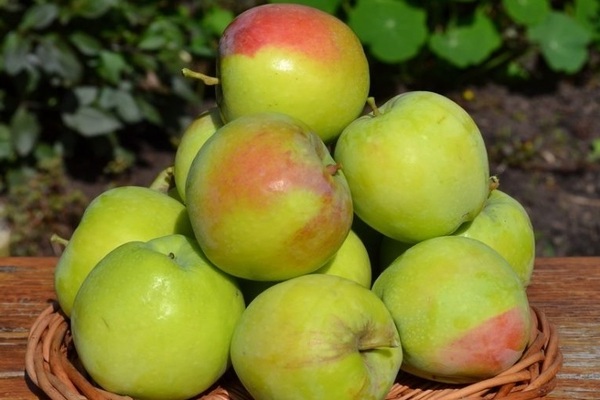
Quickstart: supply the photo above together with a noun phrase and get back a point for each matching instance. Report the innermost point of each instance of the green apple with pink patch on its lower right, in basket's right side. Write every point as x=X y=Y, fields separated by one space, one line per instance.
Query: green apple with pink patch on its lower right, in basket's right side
x=461 y=310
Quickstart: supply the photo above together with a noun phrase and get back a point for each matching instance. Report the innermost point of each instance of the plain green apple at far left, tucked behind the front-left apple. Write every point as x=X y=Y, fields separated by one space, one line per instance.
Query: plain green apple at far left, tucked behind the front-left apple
x=116 y=216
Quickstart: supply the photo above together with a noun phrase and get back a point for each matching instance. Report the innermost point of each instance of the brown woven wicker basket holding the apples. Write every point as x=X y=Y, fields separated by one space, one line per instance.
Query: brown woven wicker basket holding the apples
x=52 y=364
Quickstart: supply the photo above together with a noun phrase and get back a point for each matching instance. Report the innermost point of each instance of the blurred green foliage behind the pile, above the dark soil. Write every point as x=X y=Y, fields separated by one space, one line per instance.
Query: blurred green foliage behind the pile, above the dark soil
x=87 y=73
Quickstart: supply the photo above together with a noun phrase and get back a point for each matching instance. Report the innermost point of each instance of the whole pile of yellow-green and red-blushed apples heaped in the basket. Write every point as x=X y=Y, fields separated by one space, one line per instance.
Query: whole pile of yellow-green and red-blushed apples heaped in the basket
x=314 y=249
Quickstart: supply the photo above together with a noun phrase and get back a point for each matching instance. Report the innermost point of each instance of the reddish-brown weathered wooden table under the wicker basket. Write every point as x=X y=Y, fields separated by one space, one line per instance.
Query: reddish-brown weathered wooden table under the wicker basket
x=566 y=289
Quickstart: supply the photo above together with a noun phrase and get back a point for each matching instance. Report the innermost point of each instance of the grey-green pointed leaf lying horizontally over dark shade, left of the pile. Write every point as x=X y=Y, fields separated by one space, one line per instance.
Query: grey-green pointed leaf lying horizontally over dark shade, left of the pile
x=90 y=121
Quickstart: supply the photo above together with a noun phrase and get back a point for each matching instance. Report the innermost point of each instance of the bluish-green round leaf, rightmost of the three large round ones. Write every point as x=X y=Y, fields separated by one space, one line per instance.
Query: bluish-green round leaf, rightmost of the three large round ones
x=563 y=42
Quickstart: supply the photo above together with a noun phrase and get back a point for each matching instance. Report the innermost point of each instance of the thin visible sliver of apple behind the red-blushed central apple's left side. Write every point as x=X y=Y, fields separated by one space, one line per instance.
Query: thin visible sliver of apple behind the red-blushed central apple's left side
x=194 y=136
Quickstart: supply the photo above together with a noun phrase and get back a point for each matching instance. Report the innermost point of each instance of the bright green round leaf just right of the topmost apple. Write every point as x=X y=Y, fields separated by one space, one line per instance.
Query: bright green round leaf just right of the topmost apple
x=394 y=31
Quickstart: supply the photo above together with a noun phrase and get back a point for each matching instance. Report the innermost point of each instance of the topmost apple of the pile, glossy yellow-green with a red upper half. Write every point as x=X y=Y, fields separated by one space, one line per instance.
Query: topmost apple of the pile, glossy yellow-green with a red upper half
x=293 y=59
